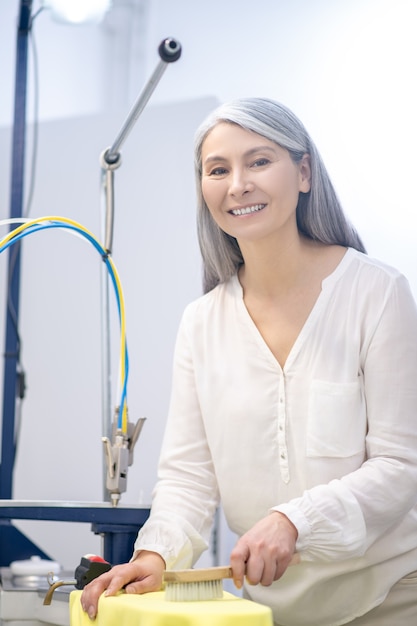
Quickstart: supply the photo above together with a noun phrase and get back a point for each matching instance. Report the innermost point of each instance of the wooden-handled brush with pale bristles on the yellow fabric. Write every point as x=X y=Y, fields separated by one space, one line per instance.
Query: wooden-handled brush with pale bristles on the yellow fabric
x=188 y=585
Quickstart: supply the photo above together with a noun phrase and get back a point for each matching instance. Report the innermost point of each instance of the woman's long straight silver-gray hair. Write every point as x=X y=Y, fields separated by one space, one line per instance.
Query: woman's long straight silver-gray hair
x=319 y=212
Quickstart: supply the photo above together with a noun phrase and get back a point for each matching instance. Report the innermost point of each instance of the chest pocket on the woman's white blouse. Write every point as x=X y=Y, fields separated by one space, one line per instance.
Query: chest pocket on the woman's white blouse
x=336 y=425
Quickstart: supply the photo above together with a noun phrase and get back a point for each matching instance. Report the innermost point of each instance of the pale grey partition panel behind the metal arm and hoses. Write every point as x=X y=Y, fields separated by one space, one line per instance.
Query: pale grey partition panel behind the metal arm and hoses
x=155 y=252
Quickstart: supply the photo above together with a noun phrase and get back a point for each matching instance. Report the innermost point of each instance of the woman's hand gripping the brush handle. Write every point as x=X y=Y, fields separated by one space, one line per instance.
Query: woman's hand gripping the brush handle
x=265 y=551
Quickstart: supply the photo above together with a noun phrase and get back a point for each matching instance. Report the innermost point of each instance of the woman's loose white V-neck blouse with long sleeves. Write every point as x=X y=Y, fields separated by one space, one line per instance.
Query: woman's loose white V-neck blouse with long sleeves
x=330 y=440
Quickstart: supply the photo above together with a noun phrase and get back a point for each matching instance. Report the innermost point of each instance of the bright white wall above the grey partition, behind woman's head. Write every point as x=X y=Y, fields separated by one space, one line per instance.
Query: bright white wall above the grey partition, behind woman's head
x=344 y=67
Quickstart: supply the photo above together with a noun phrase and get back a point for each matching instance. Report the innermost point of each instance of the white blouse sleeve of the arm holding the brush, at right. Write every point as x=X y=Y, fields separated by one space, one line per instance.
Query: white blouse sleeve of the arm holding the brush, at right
x=344 y=517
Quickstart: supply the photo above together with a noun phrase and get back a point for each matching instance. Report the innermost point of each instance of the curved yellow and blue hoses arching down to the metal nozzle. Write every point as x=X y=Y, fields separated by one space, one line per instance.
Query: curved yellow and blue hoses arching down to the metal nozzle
x=29 y=226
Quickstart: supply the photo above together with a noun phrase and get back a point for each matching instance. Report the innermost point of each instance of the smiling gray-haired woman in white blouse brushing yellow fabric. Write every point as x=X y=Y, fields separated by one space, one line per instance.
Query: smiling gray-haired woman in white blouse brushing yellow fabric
x=294 y=394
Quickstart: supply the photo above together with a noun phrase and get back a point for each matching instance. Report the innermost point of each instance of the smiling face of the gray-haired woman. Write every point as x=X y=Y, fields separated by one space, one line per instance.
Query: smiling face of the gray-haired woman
x=250 y=184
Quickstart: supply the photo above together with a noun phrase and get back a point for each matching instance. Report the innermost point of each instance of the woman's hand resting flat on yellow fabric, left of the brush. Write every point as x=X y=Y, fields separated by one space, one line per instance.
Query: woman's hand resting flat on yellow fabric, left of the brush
x=141 y=575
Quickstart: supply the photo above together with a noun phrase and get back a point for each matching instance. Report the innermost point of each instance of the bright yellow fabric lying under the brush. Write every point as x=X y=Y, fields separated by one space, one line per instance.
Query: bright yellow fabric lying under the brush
x=151 y=609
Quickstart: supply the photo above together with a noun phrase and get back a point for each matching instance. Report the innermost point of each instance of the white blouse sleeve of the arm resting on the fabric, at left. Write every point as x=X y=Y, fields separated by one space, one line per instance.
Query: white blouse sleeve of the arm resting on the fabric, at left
x=186 y=496
